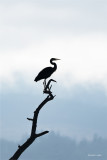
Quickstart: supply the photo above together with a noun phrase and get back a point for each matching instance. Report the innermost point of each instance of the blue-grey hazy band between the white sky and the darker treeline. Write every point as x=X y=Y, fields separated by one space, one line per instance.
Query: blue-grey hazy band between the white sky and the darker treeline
x=79 y=112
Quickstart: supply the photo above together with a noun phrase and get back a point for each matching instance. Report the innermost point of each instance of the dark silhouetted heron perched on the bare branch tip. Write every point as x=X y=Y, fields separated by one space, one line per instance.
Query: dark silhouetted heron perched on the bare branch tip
x=47 y=72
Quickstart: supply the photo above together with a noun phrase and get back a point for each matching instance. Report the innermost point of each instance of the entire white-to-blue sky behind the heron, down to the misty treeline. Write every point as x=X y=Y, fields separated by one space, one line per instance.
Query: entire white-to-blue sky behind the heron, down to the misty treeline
x=32 y=32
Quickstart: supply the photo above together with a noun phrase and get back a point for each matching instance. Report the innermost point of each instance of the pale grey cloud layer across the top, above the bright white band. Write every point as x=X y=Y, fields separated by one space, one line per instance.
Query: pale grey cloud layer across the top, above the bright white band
x=25 y=22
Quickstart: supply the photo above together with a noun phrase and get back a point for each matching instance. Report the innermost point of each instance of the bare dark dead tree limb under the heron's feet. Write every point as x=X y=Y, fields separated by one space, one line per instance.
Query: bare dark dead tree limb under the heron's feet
x=34 y=135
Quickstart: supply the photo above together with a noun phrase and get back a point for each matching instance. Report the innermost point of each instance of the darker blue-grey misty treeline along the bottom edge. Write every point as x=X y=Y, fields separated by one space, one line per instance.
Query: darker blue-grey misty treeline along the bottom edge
x=54 y=146
